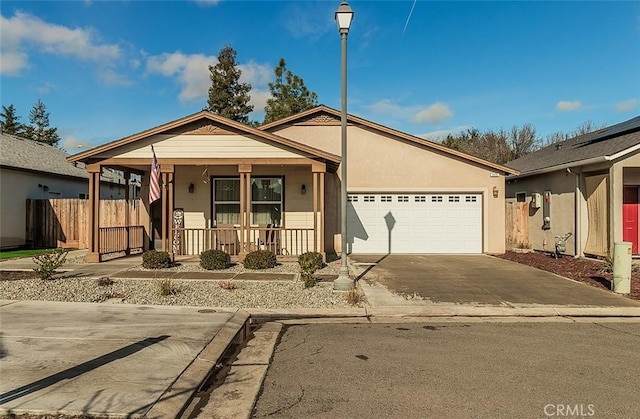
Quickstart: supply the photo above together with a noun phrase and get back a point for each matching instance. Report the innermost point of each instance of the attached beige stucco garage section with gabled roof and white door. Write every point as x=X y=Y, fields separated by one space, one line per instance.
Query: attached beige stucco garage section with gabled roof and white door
x=407 y=194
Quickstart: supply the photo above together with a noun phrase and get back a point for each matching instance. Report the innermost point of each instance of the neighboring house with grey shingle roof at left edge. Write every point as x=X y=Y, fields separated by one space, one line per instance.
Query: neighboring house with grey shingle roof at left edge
x=34 y=170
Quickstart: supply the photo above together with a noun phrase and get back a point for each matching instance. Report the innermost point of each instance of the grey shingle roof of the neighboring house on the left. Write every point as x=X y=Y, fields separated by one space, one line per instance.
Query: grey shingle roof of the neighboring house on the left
x=25 y=154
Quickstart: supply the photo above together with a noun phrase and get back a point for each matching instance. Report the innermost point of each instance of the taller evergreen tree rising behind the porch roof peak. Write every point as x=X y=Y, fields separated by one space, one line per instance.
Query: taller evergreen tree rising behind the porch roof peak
x=227 y=96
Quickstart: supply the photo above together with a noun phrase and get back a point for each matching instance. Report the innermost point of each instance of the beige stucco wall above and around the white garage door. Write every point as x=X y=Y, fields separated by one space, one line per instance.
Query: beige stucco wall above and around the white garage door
x=380 y=163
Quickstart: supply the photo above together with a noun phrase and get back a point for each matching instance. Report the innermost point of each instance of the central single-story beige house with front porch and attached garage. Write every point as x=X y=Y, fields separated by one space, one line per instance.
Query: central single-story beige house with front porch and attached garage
x=235 y=187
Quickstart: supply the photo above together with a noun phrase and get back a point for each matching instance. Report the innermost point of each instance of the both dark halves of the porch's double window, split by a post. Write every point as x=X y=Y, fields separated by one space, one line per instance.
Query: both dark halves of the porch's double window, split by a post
x=266 y=200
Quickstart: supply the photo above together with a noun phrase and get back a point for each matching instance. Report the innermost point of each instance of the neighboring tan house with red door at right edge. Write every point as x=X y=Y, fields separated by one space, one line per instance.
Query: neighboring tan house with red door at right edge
x=587 y=186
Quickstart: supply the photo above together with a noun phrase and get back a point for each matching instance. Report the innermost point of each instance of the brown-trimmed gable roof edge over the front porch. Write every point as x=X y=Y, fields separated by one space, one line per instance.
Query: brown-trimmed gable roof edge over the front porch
x=206 y=115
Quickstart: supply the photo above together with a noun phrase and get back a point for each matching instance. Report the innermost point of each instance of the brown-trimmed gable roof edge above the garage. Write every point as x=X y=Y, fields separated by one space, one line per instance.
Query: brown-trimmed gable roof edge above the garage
x=390 y=131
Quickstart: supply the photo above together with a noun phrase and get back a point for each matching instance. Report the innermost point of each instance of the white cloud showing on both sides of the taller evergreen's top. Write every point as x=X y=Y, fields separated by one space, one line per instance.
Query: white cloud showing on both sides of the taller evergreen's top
x=192 y=73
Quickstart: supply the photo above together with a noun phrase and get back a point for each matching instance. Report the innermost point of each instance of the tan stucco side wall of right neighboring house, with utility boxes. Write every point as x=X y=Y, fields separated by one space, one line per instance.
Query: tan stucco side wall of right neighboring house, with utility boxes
x=562 y=186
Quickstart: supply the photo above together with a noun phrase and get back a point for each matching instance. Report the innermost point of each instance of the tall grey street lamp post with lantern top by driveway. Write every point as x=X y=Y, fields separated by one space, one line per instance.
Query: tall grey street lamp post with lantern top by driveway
x=343 y=17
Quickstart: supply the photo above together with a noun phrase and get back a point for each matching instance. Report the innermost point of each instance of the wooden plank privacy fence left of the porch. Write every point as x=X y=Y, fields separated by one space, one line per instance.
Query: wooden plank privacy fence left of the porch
x=65 y=223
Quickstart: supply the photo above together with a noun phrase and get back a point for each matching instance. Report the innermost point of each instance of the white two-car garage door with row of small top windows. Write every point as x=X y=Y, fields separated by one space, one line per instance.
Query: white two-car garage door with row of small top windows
x=414 y=223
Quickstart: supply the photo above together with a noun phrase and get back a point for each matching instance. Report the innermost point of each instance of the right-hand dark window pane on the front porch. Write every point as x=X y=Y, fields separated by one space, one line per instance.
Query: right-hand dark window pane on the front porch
x=266 y=200
